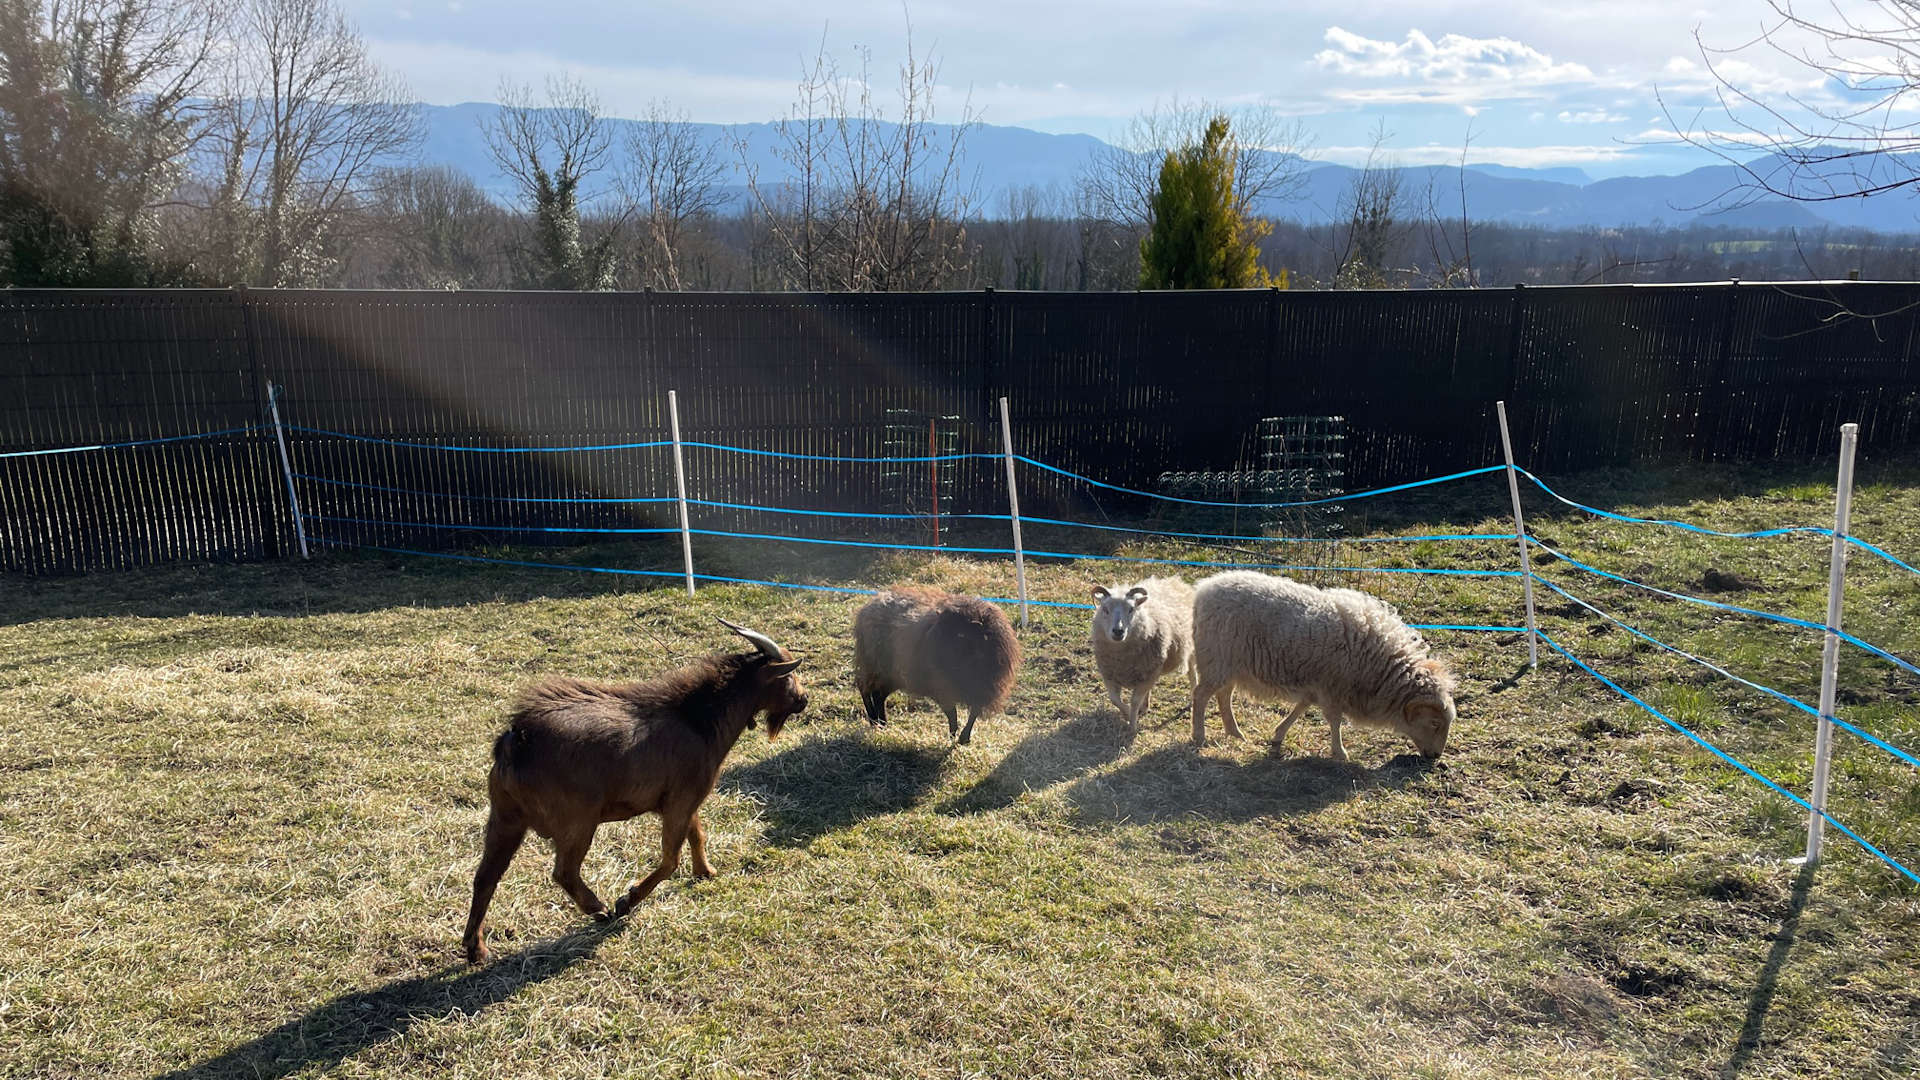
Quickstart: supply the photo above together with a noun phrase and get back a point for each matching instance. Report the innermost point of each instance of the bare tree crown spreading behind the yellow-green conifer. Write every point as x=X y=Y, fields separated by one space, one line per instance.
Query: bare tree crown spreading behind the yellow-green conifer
x=1268 y=160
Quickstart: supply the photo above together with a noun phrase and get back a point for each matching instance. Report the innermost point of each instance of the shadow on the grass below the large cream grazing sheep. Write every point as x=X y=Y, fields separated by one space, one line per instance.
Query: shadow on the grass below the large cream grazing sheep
x=1176 y=783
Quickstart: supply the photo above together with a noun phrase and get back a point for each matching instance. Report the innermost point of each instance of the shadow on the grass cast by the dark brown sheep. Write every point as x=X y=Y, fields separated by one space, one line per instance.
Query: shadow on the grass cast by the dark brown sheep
x=825 y=785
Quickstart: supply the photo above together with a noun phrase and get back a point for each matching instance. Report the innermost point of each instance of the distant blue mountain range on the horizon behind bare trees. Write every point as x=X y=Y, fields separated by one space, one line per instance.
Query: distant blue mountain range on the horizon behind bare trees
x=1009 y=159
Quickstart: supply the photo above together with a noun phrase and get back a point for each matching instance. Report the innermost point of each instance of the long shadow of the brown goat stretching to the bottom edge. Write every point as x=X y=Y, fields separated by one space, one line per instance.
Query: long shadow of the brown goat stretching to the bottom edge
x=364 y=1019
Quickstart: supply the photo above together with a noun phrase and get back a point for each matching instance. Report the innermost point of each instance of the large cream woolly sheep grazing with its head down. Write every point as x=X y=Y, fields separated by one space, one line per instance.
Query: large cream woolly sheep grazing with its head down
x=1335 y=649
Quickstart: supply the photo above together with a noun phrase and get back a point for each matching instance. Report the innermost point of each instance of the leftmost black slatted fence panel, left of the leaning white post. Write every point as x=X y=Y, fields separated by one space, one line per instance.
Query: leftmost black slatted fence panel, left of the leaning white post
x=108 y=368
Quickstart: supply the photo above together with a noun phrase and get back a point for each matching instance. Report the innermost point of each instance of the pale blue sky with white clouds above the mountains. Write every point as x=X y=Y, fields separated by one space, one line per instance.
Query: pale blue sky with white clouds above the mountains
x=1570 y=84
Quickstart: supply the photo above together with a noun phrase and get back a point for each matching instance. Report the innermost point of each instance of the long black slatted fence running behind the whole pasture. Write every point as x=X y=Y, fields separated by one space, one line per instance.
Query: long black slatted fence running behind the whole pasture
x=1118 y=387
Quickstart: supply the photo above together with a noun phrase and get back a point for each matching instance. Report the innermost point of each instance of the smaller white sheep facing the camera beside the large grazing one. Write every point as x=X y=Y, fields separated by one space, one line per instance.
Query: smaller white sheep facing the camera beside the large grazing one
x=1141 y=633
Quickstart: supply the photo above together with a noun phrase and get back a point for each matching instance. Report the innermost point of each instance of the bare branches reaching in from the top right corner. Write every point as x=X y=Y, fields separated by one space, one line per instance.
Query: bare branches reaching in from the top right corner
x=1848 y=137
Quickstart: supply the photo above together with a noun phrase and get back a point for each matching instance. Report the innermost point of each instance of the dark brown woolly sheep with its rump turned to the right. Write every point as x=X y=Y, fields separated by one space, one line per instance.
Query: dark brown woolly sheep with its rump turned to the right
x=934 y=645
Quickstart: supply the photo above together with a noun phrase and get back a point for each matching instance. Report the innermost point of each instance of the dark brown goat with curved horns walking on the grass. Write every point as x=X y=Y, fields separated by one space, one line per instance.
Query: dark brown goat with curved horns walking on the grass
x=581 y=754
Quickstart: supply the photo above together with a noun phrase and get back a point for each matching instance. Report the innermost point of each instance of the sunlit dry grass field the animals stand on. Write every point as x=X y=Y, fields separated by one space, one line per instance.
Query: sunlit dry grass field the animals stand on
x=241 y=810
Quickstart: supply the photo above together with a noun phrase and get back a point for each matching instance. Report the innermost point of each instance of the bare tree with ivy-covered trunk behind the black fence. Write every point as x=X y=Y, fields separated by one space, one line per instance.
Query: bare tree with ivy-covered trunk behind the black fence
x=550 y=153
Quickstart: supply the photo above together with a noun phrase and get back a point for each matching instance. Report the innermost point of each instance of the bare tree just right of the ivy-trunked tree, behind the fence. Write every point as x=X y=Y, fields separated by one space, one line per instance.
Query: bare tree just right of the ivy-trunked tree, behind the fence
x=673 y=182
